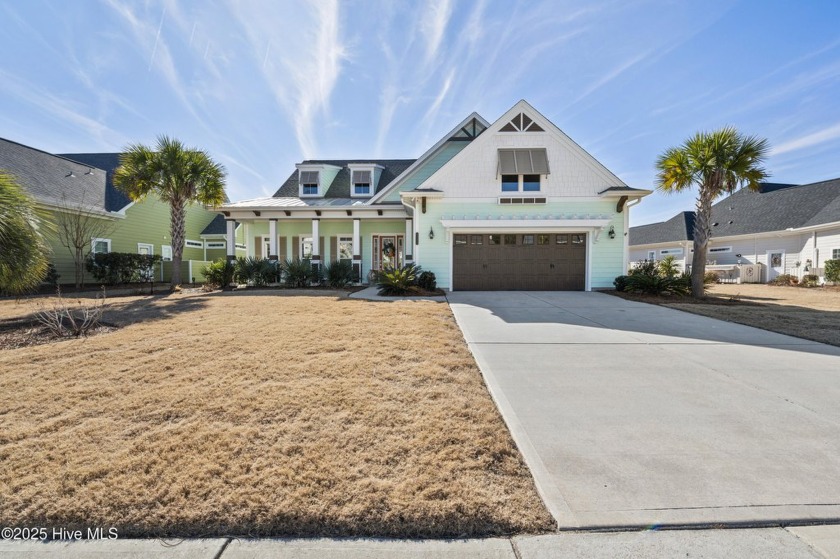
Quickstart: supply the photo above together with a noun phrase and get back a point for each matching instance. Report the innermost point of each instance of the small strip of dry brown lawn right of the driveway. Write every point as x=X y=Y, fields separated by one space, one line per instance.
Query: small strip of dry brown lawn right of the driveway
x=809 y=313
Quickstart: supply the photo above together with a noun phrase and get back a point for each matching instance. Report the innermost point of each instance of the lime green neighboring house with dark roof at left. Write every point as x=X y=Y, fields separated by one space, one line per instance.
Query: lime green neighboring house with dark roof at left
x=70 y=183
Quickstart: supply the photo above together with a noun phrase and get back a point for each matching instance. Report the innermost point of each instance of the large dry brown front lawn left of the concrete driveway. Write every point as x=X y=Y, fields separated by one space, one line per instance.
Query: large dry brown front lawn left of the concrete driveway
x=260 y=414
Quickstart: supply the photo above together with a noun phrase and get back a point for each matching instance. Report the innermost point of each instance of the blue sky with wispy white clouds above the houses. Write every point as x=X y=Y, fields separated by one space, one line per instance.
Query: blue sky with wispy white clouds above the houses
x=262 y=85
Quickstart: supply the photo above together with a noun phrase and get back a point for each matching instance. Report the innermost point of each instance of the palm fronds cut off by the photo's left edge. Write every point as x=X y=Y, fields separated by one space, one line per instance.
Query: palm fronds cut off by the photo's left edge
x=23 y=251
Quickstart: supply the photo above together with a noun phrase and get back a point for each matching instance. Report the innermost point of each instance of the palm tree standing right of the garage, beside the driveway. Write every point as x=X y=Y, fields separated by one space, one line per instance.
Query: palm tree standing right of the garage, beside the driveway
x=717 y=163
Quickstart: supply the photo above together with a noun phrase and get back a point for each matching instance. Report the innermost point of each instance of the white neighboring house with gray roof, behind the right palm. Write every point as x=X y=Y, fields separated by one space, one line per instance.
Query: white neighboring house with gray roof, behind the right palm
x=785 y=228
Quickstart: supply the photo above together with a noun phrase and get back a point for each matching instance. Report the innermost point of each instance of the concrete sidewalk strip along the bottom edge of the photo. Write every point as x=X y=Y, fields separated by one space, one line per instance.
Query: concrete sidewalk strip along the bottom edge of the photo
x=767 y=543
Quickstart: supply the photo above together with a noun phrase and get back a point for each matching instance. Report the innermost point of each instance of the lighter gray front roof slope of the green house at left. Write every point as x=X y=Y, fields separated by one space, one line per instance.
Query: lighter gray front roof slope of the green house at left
x=53 y=179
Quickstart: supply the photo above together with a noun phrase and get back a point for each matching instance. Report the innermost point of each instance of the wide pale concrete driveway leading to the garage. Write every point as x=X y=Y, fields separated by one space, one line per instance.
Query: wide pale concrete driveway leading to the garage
x=635 y=415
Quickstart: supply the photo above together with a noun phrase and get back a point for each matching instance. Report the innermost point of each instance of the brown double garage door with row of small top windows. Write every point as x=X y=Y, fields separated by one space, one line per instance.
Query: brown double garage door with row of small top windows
x=536 y=262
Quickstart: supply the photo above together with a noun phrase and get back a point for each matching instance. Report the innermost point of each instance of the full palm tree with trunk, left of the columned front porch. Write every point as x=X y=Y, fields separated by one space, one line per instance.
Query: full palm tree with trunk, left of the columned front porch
x=177 y=175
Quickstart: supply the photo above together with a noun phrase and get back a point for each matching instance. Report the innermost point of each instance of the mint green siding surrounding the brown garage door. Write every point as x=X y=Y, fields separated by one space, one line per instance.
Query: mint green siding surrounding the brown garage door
x=606 y=256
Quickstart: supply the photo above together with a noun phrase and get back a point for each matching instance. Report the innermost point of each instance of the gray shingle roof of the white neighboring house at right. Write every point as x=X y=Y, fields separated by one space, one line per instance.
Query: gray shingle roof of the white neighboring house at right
x=775 y=207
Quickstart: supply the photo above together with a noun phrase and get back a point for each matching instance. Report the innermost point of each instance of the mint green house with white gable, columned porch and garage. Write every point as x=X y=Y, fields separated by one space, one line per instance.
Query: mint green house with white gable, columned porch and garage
x=511 y=205
